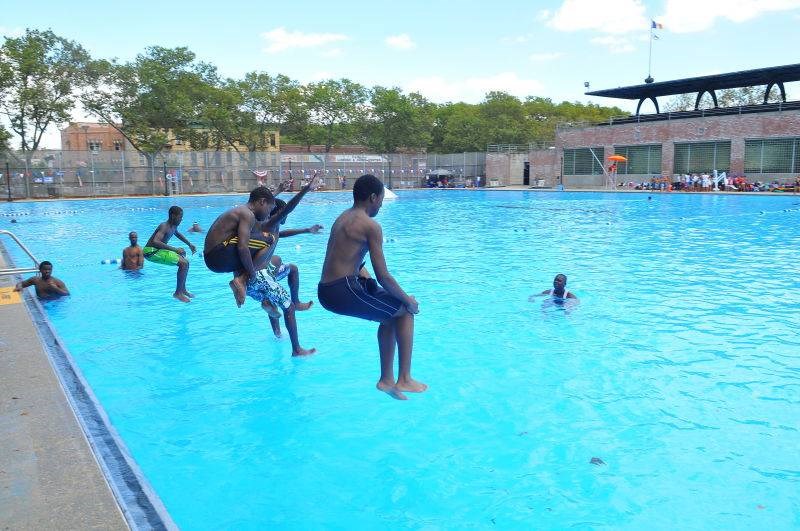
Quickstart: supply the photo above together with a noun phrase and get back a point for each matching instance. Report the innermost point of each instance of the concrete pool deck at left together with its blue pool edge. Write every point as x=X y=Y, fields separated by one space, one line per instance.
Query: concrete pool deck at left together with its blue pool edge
x=51 y=475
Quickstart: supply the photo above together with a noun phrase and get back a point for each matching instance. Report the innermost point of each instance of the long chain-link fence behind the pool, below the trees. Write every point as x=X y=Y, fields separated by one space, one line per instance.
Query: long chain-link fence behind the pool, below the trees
x=60 y=174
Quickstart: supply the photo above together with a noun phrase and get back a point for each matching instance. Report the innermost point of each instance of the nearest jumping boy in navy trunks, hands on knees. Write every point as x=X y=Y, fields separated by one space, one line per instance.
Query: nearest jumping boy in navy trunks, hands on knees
x=347 y=289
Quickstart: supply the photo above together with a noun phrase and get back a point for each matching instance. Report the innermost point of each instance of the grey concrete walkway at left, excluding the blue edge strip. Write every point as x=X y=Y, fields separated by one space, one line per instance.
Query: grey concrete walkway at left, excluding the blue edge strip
x=49 y=477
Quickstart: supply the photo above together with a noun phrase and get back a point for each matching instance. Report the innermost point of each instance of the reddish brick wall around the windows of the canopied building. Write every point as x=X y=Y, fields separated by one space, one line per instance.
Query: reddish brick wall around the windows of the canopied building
x=735 y=128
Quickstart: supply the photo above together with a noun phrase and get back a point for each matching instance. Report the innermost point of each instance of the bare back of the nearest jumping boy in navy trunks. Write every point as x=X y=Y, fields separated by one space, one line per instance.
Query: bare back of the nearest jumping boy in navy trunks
x=347 y=245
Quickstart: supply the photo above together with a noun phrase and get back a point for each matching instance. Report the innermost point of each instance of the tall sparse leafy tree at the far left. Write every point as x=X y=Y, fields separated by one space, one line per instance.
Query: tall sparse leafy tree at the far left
x=40 y=76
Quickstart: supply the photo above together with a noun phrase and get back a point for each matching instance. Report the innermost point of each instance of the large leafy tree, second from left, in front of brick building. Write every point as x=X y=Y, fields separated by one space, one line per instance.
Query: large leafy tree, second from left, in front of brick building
x=154 y=99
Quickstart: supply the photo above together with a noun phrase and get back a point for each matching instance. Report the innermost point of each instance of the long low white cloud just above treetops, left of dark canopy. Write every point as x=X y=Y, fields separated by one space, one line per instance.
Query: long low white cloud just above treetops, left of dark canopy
x=473 y=89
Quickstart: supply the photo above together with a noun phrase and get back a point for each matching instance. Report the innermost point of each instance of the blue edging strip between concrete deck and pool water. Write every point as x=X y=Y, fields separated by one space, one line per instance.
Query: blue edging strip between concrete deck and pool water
x=138 y=502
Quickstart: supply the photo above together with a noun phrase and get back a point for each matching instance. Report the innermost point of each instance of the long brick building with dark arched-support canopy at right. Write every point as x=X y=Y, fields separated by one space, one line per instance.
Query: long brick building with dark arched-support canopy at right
x=761 y=142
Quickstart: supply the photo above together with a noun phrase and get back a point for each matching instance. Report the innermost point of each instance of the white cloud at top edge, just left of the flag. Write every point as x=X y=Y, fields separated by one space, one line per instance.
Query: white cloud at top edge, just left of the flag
x=609 y=16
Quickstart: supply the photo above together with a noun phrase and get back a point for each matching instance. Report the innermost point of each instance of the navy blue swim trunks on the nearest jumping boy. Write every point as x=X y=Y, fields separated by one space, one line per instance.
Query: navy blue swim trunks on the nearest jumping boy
x=358 y=297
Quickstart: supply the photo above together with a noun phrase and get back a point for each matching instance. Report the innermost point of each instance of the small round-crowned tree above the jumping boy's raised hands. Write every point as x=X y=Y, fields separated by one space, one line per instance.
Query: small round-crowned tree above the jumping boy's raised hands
x=334 y=103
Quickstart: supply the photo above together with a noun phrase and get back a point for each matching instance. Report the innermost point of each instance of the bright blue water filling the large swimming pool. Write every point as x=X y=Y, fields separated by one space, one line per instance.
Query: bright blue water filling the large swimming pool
x=680 y=368
